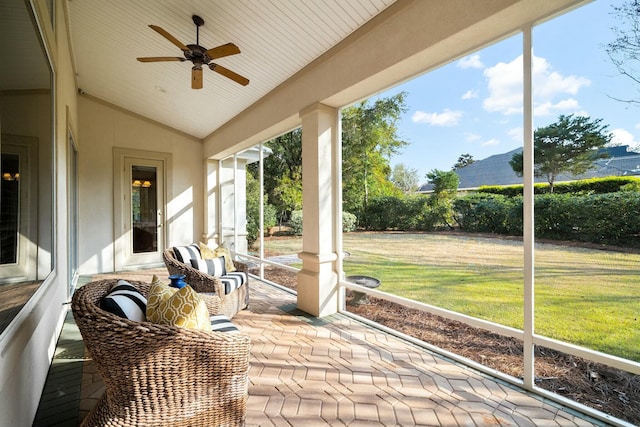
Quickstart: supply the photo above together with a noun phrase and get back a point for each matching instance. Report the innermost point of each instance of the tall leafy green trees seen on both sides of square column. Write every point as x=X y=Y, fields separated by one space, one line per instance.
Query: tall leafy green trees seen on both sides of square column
x=369 y=139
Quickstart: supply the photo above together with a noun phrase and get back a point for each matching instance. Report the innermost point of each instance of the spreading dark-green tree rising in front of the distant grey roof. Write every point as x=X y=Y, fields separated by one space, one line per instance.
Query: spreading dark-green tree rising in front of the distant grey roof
x=570 y=145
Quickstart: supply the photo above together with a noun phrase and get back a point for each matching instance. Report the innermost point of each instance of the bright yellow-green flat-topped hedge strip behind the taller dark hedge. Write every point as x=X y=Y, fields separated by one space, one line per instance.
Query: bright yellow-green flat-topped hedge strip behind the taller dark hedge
x=610 y=184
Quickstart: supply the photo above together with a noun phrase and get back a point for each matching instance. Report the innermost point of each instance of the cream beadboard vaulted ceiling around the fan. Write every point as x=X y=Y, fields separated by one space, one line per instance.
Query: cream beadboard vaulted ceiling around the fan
x=276 y=38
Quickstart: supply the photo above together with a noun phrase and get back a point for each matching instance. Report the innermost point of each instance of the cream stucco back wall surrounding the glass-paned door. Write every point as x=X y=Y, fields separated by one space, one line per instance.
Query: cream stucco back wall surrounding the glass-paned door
x=103 y=127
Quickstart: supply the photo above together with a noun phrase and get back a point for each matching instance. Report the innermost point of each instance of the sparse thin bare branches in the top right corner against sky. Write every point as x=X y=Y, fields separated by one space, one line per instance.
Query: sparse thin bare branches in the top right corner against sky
x=624 y=51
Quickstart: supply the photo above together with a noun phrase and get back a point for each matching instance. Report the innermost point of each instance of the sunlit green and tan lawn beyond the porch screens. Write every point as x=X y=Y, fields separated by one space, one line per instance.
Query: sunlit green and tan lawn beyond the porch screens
x=583 y=296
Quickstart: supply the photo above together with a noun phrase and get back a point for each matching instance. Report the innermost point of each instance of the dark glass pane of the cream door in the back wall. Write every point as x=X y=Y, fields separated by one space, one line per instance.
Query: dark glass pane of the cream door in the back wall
x=144 y=209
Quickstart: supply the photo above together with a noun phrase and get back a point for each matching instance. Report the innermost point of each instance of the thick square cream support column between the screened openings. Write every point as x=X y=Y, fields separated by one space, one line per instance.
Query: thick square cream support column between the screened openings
x=318 y=280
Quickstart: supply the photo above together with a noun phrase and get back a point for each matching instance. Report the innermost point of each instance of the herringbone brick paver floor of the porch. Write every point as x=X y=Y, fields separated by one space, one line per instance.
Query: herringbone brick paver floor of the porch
x=333 y=371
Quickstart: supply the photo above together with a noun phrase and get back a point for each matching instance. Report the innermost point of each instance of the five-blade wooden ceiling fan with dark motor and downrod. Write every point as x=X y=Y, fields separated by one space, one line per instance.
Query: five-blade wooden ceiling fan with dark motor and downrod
x=199 y=56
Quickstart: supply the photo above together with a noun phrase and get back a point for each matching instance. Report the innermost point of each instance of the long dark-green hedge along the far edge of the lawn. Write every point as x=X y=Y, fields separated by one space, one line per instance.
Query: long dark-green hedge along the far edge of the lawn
x=602 y=211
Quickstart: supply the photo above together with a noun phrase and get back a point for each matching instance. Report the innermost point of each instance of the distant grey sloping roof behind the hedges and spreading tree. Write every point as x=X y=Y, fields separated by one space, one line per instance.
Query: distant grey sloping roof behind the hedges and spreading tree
x=495 y=170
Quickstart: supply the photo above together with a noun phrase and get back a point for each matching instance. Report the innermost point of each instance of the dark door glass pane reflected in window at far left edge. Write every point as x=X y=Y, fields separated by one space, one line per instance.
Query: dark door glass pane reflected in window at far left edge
x=9 y=214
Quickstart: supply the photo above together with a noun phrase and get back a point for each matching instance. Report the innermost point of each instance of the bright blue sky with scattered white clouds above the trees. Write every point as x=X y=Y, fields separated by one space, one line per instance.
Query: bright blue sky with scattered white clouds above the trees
x=474 y=105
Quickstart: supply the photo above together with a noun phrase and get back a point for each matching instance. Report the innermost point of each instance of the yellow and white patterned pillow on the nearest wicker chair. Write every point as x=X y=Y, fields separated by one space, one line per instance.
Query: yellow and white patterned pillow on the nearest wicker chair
x=177 y=307
